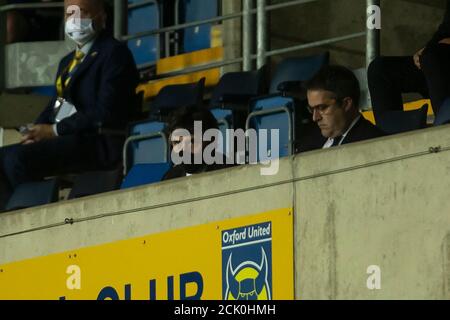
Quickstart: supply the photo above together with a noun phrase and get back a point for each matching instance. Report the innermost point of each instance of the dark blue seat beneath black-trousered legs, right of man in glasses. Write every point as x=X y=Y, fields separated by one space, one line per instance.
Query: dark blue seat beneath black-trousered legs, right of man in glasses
x=393 y=122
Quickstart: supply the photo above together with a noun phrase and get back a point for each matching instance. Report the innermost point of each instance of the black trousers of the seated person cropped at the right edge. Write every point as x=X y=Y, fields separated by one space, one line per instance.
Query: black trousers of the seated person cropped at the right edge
x=389 y=77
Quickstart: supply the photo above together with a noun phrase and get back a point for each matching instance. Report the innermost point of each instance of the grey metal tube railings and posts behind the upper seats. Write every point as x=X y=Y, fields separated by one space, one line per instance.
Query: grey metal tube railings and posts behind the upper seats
x=247 y=15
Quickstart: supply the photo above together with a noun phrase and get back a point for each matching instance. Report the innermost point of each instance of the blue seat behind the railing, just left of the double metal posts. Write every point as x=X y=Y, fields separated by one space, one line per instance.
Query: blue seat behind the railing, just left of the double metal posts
x=199 y=37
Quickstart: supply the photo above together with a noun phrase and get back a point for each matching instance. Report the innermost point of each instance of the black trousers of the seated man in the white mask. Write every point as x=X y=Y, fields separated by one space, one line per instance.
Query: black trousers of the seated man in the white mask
x=60 y=155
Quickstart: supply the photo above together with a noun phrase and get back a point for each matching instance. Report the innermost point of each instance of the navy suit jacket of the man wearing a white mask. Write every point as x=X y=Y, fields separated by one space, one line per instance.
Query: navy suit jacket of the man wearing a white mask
x=102 y=89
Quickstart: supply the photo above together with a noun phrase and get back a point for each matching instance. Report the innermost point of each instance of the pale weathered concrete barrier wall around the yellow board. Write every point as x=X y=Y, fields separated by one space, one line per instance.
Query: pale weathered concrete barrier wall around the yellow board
x=382 y=202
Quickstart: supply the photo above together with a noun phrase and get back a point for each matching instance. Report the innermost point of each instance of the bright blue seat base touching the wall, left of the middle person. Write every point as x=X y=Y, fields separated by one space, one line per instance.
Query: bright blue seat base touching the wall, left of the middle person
x=142 y=174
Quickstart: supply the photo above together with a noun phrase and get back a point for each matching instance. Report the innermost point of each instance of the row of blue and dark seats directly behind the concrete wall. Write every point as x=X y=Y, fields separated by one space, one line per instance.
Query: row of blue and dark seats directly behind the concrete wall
x=240 y=100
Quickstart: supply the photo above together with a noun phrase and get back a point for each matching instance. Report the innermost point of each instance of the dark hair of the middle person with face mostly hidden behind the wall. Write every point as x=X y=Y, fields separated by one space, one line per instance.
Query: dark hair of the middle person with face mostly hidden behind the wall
x=185 y=117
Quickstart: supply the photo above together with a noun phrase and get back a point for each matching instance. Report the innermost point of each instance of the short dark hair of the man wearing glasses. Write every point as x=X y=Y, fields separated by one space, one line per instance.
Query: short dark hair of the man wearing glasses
x=338 y=80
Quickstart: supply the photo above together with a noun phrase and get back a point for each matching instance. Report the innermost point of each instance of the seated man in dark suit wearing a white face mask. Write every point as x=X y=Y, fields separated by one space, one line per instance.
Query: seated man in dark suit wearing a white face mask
x=98 y=82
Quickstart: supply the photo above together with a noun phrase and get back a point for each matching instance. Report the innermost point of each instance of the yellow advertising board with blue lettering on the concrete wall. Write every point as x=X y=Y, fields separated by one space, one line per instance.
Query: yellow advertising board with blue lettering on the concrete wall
x=245 y=258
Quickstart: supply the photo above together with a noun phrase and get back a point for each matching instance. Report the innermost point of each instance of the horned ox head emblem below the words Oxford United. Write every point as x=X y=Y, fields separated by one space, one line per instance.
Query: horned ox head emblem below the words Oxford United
x=248 y=281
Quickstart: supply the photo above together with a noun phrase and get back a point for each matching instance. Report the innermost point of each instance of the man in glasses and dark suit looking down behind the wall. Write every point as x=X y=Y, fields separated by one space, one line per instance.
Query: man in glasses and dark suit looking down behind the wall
x=333 y=100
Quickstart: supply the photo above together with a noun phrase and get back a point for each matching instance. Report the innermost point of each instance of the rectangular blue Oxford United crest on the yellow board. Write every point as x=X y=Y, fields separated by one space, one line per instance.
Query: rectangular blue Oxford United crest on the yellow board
x=247 y=263
